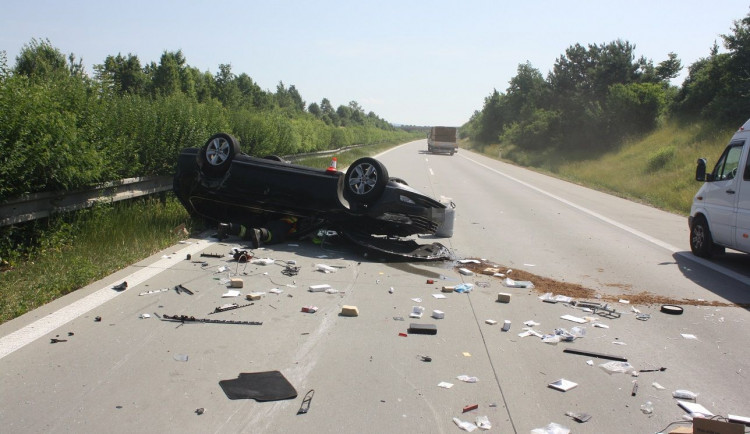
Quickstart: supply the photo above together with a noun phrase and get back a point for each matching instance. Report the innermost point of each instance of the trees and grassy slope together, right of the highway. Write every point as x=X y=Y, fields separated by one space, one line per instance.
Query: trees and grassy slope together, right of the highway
x=604 y=118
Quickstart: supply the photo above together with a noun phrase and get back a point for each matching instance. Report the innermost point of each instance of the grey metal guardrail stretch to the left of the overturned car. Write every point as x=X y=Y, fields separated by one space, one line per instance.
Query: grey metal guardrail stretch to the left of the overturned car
x=40 y=205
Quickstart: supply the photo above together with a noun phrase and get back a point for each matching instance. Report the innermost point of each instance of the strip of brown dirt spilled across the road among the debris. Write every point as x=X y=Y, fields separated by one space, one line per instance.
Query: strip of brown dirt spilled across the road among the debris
x=543 y=285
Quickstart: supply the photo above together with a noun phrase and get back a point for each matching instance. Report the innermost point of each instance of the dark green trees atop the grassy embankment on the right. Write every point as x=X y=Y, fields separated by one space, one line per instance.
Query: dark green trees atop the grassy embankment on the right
x=596 y=96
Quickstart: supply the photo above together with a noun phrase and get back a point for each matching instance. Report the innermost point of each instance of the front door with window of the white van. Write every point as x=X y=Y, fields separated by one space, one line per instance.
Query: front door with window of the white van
x=721 y=196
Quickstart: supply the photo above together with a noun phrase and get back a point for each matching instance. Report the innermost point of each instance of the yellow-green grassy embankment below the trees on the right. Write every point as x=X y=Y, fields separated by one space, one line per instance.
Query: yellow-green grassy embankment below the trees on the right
x=657 y=169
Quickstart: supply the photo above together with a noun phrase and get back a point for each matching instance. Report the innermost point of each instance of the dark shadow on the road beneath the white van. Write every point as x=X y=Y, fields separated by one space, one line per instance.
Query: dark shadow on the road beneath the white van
x=722 y=284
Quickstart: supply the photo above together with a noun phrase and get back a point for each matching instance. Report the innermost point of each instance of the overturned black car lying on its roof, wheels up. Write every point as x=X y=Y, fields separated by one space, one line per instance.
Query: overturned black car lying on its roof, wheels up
x=221 y=184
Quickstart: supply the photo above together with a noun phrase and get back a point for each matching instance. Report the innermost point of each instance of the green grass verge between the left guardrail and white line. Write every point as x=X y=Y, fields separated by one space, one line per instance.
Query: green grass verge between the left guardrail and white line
x=76 y=249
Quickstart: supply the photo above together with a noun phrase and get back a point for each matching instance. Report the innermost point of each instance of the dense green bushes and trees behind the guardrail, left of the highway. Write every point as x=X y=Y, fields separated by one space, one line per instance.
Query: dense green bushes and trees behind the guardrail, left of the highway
x=62 y=129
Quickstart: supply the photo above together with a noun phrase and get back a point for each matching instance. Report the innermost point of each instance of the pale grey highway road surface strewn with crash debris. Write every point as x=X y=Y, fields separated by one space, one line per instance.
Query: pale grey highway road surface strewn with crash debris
x=126 y=373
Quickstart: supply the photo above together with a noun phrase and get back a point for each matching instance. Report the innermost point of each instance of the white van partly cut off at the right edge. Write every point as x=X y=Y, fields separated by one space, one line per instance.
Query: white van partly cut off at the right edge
x=720 y=215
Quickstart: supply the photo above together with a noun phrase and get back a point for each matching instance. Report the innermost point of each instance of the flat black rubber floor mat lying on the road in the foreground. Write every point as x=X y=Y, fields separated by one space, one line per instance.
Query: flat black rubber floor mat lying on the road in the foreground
x=260 y=386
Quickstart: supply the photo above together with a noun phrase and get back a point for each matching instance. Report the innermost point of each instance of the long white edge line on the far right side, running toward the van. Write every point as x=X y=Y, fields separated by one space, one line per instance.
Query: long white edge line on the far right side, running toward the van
x=637 y=233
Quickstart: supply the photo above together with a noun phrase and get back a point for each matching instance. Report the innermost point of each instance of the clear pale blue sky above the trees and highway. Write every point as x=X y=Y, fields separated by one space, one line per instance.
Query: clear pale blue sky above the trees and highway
x=411 y=62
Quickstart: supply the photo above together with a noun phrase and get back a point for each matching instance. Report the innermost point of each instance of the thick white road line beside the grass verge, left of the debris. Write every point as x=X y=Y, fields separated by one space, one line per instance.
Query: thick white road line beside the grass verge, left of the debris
x=43 y=326
